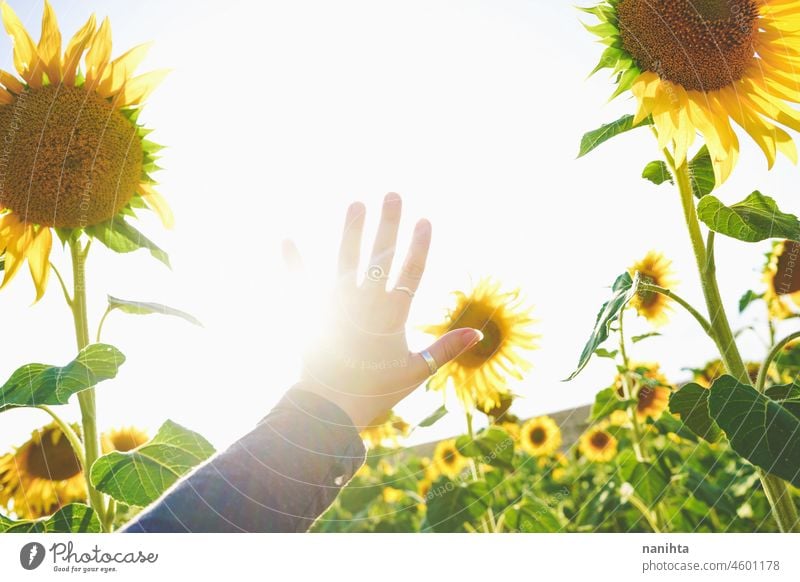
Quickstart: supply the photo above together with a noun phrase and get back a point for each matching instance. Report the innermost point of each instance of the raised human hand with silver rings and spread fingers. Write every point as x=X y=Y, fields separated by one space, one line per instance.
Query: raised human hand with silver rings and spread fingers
x=361 y=360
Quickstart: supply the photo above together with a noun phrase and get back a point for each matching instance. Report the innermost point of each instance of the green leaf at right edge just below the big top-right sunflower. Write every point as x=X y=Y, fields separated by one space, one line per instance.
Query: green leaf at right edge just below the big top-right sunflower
x=754 y=219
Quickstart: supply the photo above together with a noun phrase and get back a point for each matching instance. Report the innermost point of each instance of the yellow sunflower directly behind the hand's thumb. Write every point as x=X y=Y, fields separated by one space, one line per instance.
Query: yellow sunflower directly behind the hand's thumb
x=480 y=374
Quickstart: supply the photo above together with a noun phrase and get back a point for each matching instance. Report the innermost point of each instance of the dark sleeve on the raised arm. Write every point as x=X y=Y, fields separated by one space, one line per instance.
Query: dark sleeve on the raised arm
x=278 y=478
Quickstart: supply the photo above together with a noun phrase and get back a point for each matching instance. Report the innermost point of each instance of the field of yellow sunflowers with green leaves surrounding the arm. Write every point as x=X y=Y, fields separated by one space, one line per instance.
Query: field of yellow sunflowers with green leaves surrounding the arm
x=717 y=450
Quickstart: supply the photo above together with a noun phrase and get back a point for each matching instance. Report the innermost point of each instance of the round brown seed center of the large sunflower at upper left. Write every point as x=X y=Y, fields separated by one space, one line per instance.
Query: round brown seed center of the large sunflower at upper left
x=67 y=157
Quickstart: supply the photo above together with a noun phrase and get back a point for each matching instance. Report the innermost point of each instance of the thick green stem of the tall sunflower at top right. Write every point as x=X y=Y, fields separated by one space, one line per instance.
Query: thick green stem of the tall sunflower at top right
x=775 y=489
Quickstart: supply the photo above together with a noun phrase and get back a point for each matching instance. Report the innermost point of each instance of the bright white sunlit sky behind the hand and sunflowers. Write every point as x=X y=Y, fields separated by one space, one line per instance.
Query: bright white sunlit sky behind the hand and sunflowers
x=277 y=114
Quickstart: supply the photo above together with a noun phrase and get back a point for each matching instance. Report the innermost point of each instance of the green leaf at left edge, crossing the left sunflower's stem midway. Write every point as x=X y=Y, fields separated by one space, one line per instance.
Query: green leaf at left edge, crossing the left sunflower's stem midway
x=38 y=384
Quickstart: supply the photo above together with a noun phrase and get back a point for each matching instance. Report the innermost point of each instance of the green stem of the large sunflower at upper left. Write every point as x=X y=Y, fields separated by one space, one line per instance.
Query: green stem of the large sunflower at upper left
x=86 y=398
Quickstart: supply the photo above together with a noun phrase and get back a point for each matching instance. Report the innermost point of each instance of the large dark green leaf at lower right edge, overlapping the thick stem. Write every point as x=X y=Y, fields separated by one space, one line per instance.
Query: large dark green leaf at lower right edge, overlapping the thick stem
x=760 y=429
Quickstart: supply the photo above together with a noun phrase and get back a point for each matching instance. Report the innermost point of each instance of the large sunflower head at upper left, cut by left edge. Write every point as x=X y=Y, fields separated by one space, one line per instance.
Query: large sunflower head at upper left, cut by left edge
x=74 y=158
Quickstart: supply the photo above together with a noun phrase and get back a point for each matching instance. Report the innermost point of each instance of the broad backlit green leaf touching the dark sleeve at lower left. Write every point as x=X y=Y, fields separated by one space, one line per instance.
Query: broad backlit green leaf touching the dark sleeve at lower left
x=140 y=476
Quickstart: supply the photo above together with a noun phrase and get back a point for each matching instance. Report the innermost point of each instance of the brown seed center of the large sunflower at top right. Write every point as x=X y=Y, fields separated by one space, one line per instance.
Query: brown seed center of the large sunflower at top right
x=703 y=45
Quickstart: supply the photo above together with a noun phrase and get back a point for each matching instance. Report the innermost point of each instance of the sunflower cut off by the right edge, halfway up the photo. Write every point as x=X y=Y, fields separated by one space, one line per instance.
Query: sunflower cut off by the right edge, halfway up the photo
x=782 y=279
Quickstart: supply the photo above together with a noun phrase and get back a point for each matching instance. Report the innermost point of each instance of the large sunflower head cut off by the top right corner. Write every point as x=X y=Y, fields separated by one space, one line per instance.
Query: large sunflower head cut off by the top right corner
x=695 y=66
